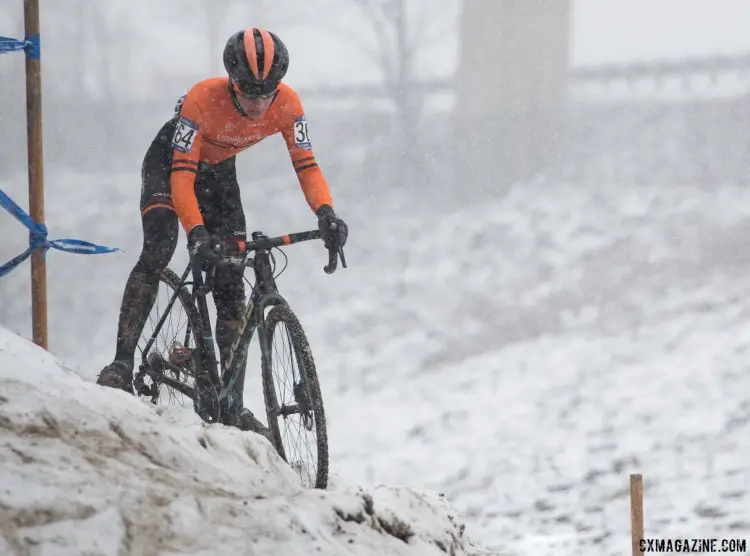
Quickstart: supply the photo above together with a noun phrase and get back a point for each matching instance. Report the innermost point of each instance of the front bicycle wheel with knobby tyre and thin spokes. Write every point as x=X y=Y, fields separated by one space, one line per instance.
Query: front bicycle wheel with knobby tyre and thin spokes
x=292 y=395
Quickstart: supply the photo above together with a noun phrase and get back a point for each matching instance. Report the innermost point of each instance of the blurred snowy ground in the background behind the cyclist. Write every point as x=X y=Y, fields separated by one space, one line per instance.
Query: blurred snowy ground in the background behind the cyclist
x=523 y=356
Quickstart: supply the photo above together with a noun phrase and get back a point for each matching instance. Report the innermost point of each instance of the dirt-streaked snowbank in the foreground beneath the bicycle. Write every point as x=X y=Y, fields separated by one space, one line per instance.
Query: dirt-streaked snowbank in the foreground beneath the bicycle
x=88 y=470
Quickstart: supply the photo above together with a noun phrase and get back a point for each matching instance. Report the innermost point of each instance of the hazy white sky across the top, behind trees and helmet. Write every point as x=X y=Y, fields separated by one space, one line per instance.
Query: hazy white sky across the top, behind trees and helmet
x=326 y=42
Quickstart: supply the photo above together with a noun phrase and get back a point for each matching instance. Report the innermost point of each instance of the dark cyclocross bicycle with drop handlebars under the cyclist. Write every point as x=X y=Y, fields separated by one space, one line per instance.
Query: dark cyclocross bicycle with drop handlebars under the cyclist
x=194 y=371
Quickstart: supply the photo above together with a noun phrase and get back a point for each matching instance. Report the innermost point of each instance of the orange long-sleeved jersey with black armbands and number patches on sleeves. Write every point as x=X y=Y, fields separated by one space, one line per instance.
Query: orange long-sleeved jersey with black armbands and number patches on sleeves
x=210 y=129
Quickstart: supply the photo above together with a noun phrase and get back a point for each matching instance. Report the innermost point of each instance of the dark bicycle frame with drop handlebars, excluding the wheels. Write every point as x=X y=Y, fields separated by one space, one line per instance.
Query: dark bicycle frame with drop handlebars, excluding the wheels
x=209 y=398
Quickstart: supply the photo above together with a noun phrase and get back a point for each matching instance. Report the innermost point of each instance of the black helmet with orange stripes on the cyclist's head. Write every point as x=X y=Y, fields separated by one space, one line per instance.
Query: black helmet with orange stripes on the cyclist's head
x=256 y=61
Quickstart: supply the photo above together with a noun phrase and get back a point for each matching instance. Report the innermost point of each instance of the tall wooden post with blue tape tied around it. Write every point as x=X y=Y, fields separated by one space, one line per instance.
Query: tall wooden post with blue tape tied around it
x=36 y=175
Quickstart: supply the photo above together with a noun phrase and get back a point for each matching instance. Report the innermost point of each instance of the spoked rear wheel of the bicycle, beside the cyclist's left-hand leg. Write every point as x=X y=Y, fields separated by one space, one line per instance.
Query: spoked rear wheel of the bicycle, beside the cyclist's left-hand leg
x=175 y=342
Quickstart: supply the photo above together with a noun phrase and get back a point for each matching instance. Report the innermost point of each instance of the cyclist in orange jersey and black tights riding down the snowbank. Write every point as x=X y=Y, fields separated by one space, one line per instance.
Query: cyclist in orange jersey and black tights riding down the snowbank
x=189 y=179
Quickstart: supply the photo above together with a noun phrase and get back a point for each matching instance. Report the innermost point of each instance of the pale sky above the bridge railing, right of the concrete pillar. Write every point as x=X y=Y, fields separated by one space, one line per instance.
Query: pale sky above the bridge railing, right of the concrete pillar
x=612 y=30
